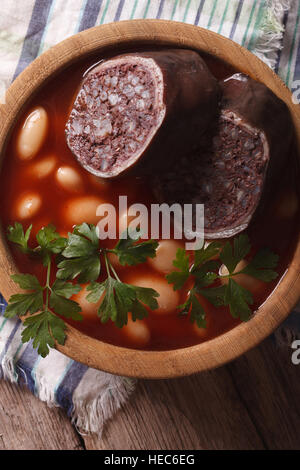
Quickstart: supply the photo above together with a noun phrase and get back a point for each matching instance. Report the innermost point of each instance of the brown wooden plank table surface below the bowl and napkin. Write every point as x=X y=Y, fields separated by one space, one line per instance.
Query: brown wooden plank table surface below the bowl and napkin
x=252 y=403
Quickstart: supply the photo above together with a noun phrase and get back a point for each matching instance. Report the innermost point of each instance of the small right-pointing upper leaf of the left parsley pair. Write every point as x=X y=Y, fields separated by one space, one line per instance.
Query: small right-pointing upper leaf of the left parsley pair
x=131 y=253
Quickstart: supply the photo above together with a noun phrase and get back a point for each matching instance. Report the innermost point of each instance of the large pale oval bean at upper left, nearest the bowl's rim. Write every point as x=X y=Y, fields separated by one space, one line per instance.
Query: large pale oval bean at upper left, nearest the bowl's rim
x=33 y=133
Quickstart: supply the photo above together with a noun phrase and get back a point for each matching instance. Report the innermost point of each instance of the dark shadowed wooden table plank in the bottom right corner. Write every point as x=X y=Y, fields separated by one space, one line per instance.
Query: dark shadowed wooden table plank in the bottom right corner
x=269 y=387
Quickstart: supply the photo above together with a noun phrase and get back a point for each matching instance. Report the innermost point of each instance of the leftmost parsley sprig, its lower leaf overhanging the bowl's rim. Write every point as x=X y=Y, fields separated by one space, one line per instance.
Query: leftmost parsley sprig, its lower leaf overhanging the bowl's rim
x=44 y=328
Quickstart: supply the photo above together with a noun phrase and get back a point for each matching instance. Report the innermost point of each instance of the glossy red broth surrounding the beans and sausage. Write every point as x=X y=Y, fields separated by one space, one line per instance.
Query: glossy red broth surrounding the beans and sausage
x=168 y=331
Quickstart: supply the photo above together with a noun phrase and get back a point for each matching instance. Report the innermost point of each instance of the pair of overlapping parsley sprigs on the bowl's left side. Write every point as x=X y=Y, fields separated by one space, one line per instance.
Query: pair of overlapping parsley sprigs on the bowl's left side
x=78 y=261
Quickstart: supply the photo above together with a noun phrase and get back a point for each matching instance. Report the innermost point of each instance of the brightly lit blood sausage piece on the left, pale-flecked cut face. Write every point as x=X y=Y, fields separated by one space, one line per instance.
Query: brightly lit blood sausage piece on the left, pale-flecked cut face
x=141 y=108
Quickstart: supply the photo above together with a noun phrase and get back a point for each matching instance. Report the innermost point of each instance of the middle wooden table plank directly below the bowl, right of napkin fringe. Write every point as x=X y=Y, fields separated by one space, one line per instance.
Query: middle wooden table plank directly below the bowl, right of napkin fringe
x=200 y=412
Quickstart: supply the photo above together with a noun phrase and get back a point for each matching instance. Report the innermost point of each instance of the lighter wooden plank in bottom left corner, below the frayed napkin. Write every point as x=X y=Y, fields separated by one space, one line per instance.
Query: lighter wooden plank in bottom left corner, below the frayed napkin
x=26 y=423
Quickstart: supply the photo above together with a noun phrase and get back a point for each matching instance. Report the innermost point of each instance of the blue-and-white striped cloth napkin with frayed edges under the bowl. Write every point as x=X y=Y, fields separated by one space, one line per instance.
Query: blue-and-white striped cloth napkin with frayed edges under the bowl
x=29 y=28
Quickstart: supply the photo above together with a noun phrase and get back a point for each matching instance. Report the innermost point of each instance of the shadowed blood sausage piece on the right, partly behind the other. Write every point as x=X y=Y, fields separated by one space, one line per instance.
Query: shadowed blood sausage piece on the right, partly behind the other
x=238 y=162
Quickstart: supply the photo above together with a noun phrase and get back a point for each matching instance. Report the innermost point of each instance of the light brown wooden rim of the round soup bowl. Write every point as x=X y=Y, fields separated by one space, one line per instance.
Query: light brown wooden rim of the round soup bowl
x=213 y=353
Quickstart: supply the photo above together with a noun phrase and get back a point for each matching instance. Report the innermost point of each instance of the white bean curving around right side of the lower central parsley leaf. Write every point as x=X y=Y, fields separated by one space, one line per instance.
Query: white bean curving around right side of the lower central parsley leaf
x=168 y=299
